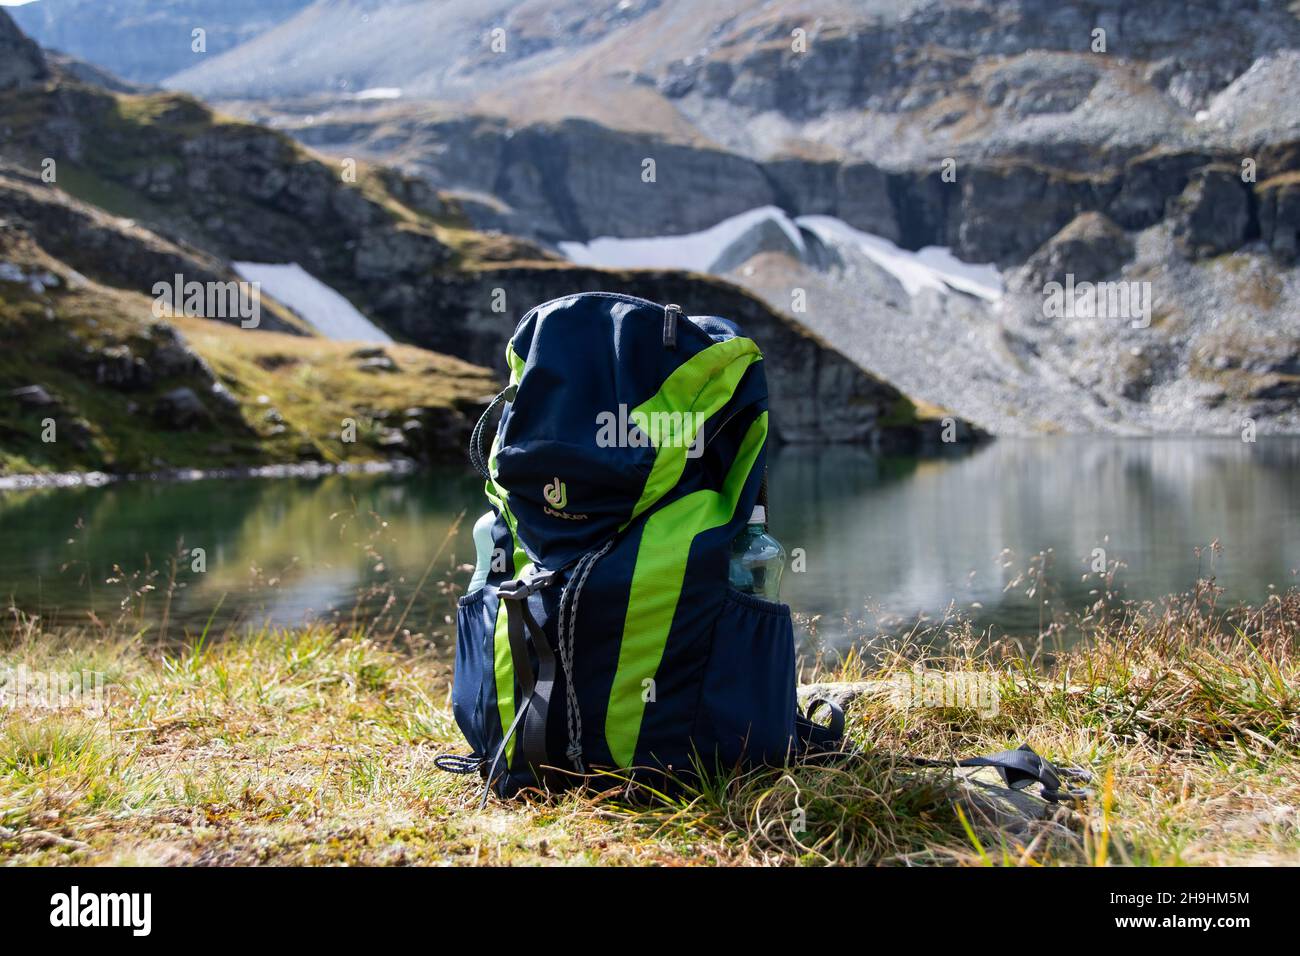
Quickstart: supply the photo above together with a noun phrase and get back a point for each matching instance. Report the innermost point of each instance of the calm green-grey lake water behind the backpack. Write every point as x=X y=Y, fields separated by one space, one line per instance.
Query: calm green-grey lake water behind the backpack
x=881 y=540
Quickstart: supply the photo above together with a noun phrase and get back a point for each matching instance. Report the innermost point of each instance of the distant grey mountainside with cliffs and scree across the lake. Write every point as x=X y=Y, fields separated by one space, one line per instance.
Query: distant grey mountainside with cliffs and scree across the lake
x=1152 y=145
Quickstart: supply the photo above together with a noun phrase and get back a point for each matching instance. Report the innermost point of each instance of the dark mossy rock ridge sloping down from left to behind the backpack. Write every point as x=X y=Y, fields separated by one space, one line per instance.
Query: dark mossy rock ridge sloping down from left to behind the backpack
x=146 y=187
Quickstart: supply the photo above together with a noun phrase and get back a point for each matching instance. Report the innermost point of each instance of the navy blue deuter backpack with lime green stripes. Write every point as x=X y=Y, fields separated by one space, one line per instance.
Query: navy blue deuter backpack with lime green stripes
x=630 y=453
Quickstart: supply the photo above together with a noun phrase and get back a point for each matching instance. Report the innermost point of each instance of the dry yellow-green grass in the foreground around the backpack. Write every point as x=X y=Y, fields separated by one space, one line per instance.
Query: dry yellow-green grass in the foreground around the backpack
x=317 y=747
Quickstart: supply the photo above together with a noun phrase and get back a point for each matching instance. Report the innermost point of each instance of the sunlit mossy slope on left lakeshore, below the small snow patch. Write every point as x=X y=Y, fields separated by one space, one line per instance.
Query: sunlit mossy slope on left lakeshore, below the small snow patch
x=90 y=380
